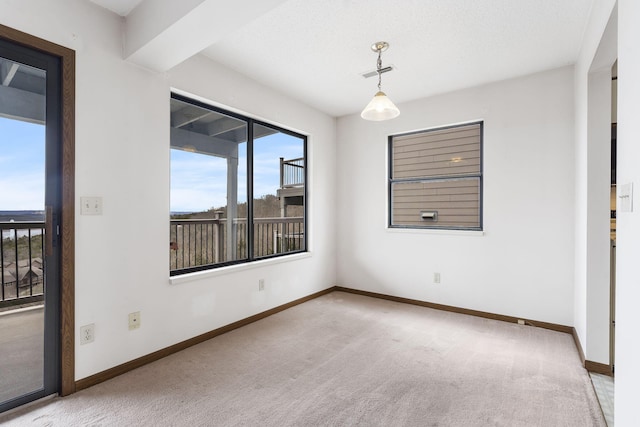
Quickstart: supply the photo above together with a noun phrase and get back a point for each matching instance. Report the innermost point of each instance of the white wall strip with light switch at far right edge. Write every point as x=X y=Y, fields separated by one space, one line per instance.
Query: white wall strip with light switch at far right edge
x=628 y=223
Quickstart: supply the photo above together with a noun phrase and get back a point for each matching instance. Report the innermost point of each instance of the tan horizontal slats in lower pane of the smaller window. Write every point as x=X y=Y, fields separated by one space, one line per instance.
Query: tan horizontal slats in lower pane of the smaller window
x=457 y=203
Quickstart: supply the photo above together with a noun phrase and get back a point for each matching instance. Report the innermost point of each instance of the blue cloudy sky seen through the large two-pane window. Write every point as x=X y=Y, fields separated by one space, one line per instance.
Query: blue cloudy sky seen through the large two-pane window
x=199 y=182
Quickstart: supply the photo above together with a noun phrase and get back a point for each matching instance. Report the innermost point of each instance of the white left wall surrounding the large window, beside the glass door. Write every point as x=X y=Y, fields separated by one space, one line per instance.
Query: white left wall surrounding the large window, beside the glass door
x=122 y=155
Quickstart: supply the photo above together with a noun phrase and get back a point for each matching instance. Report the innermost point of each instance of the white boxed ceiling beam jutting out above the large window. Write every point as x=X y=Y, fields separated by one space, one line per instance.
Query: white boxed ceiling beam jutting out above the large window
x=160 y=35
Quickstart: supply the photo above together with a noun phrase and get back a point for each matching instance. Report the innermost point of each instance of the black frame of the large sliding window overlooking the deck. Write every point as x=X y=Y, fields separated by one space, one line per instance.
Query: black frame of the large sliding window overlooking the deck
x=250 y=123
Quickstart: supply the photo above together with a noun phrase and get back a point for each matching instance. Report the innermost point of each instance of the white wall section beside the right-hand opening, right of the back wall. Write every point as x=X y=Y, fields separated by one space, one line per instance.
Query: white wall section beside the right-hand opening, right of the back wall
x=592 y=147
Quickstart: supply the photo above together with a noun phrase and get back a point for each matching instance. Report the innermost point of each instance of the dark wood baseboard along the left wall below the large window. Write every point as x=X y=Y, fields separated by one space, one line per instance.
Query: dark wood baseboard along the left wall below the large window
x=157 y=355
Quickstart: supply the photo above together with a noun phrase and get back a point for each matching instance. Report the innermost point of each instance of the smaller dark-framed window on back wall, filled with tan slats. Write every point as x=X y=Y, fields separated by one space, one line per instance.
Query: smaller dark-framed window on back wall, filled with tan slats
x=435 y=178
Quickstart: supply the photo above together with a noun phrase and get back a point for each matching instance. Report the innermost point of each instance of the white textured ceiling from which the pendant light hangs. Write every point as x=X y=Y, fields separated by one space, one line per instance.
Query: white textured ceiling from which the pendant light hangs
x=316 y=50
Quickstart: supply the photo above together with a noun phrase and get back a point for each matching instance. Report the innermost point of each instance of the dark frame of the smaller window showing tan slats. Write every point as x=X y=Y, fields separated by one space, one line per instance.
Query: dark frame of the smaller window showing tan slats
x=437 y=178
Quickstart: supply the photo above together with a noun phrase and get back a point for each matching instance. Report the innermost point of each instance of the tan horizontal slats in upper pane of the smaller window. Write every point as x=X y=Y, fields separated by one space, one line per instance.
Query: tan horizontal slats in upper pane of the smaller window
x=439 y=153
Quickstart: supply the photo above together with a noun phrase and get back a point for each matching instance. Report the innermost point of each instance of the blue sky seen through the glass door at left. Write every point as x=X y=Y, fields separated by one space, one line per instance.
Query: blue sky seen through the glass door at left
x=22 y=158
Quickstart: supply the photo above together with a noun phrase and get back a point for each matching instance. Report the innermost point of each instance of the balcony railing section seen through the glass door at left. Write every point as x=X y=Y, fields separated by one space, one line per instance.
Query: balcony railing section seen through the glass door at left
x=21 y=263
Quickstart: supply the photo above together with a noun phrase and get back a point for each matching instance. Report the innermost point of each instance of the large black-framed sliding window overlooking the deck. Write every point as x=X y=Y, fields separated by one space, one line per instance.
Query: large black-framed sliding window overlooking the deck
x=237 y=188
